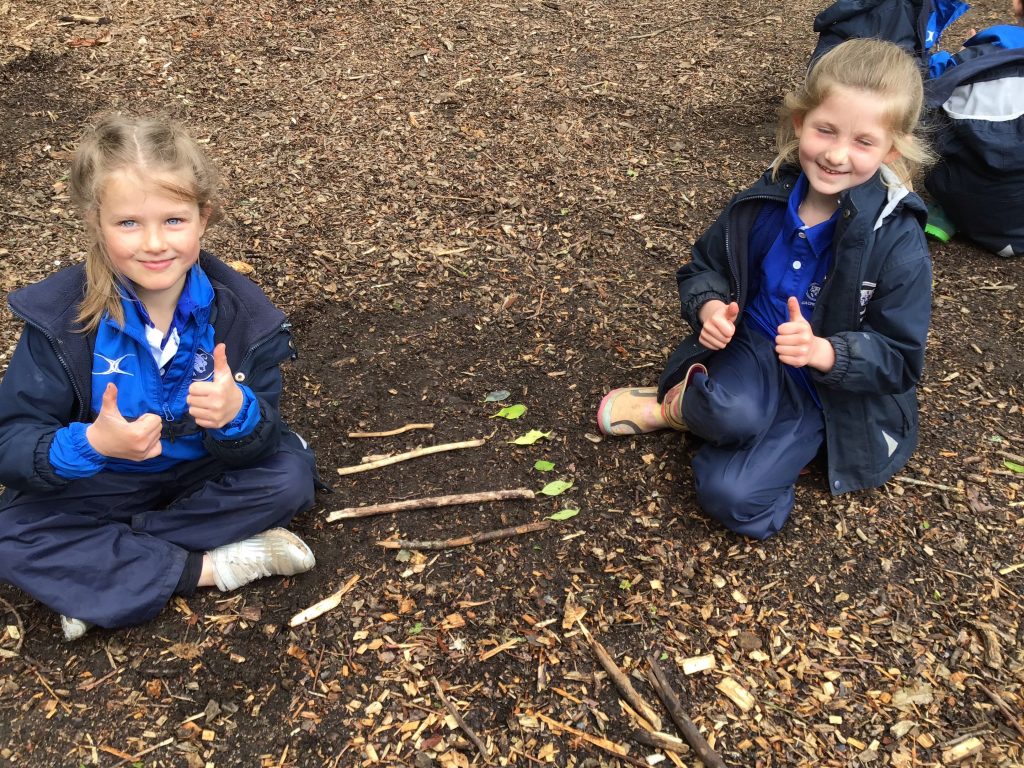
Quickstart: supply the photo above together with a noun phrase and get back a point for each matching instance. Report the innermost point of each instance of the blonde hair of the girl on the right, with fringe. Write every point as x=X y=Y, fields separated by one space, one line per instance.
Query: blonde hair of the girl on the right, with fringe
x=878 y=67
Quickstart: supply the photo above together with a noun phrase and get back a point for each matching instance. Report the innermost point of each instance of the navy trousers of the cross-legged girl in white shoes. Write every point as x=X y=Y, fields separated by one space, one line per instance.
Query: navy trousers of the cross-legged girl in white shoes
x=111 y=549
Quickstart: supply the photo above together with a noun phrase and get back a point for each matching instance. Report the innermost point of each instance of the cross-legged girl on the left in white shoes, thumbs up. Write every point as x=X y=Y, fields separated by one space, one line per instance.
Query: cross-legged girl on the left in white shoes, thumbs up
x=142 y=446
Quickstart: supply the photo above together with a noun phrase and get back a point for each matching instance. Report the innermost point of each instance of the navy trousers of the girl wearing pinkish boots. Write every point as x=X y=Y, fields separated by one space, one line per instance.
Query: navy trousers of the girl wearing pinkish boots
x=761 y=430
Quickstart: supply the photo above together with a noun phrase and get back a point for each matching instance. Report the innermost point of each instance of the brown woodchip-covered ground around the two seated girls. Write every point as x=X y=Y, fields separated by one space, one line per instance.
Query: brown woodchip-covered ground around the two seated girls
x=454 y=199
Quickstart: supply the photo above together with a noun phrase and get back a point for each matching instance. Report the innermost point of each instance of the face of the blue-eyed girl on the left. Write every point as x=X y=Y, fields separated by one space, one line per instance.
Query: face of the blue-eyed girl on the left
x=152 y=237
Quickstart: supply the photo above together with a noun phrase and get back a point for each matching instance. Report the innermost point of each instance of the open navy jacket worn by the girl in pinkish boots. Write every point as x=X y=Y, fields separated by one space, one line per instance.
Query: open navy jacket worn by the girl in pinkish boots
x=875 y=309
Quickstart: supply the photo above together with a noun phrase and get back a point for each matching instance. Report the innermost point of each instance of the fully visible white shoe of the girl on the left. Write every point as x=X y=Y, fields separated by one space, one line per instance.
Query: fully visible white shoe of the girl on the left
x=275 y=552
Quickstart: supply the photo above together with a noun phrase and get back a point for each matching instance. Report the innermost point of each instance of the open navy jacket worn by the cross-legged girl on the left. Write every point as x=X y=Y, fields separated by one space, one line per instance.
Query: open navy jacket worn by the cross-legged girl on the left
x=49 y=383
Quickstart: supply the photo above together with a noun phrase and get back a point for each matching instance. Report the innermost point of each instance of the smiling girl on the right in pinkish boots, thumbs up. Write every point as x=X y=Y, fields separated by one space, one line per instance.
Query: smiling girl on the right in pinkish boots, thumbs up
x=809 y=300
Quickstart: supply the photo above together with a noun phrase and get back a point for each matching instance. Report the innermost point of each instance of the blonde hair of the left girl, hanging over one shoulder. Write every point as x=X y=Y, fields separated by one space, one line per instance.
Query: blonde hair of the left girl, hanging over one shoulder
x=155 y=150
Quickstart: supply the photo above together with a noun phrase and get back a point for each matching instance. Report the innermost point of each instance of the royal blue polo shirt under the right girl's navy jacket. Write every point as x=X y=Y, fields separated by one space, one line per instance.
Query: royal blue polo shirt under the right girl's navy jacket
x=794 y=262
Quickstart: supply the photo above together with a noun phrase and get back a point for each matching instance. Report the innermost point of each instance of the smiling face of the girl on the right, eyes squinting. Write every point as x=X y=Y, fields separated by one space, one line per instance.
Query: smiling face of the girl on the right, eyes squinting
x=843 y=142
